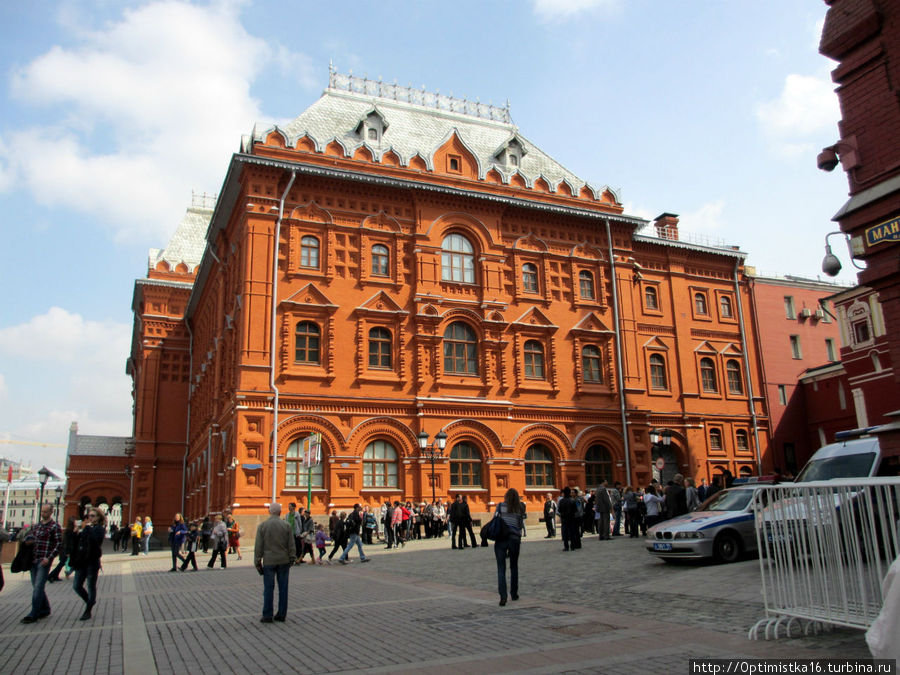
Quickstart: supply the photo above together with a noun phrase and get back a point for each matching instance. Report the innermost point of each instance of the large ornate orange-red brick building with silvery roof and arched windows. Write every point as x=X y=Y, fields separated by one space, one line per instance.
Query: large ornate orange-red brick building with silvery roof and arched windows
x=393 y=263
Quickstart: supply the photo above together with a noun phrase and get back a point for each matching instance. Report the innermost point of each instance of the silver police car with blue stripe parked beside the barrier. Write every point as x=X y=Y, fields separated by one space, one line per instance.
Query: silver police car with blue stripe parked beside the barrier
x=722 y=527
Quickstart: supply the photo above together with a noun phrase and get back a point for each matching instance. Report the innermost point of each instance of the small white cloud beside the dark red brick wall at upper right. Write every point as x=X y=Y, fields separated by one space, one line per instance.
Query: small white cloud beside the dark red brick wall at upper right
x=806 y=108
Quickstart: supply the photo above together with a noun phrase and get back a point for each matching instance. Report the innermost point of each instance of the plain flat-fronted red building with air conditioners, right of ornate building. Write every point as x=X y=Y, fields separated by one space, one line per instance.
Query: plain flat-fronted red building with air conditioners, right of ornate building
x=796 y=331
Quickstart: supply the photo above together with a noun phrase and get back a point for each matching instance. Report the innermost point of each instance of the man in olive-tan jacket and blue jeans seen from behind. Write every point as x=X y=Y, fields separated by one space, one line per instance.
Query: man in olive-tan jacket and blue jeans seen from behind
x=273 y=555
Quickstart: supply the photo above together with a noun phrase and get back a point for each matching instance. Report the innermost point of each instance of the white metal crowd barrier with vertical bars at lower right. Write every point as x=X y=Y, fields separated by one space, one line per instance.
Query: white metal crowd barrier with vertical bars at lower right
x=825 y=548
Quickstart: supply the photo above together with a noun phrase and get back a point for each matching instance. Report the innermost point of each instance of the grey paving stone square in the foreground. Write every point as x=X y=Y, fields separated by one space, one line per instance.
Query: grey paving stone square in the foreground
x=608 y=607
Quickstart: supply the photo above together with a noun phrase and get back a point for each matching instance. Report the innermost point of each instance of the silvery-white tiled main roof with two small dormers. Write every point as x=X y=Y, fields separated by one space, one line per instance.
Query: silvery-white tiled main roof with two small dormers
x=418 y=123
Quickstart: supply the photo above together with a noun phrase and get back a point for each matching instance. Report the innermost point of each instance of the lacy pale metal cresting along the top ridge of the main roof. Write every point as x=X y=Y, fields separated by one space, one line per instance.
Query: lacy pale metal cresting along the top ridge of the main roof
x=392 y=91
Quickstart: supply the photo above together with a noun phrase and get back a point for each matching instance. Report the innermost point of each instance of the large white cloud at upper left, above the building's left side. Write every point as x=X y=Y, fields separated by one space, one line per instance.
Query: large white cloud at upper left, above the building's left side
x=174 y=101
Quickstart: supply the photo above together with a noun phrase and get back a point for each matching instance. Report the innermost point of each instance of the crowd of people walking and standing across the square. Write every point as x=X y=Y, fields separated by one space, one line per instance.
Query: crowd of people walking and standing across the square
x=606 y=512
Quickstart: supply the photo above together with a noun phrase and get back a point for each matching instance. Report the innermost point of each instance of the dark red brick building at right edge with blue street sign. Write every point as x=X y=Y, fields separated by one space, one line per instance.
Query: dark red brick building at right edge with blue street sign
x=863 y=36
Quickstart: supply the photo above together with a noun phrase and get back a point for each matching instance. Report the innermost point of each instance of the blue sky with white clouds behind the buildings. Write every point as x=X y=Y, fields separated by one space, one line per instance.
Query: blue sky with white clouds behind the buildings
x=111 y=113
